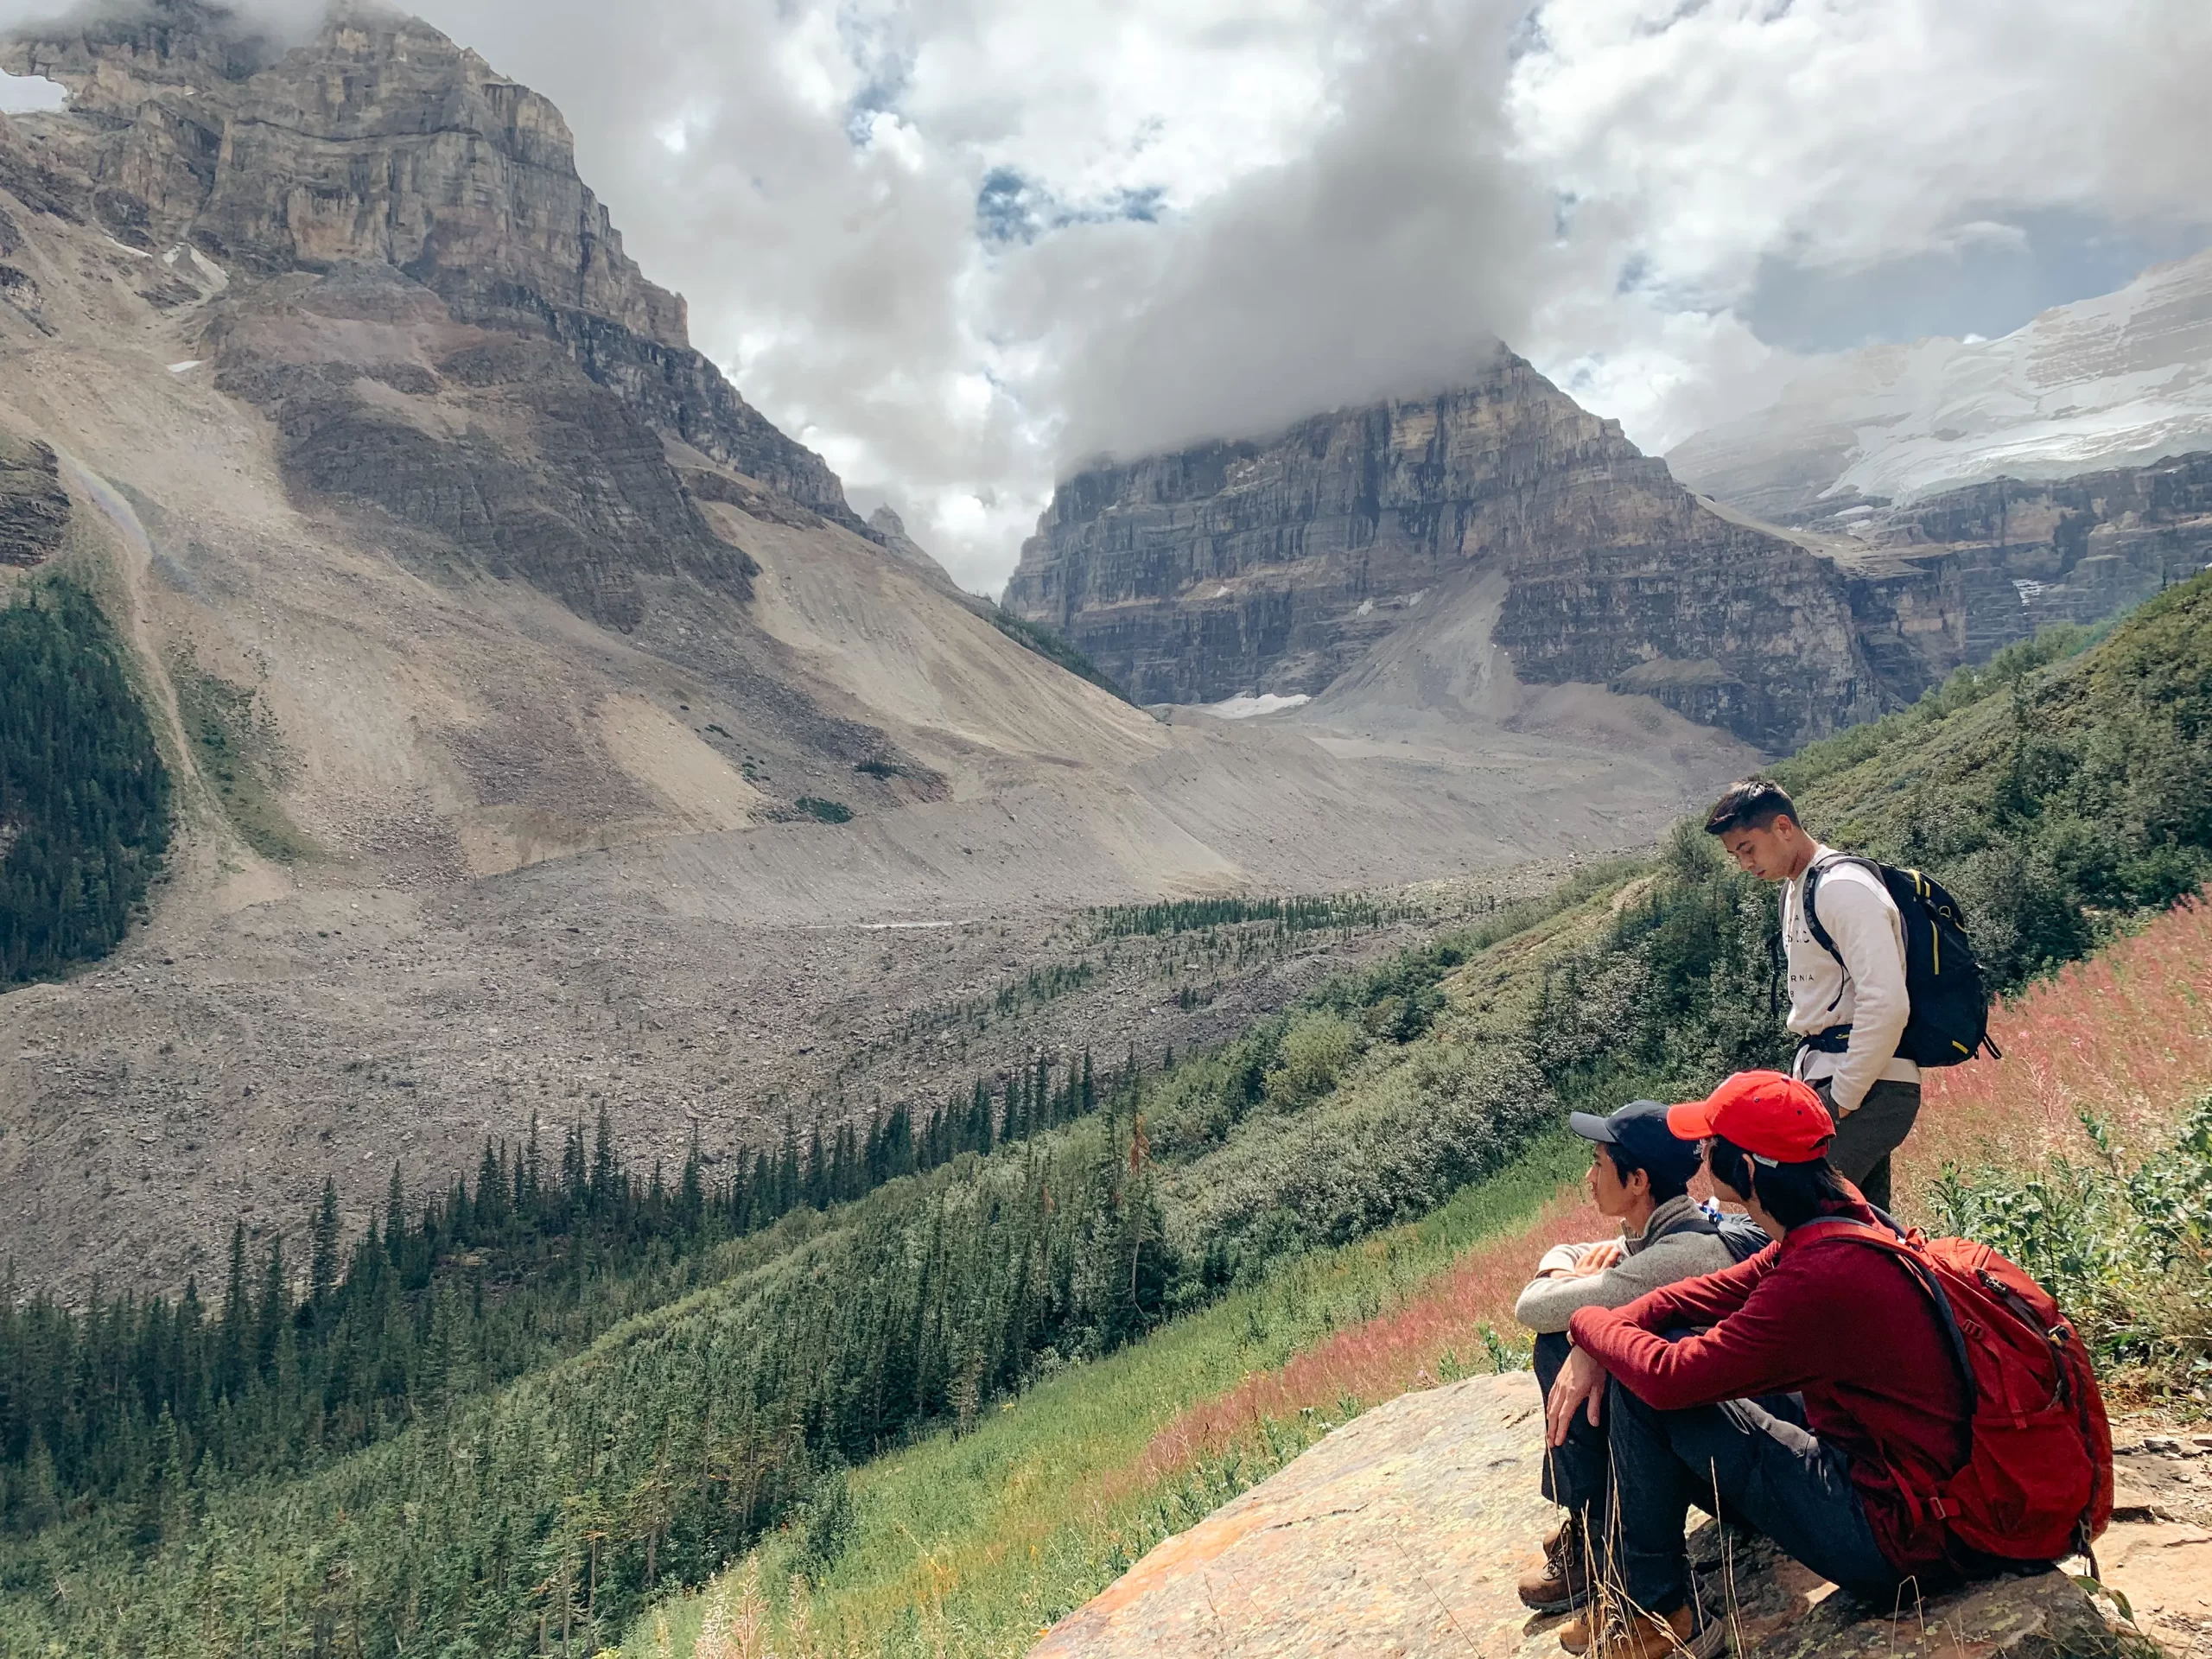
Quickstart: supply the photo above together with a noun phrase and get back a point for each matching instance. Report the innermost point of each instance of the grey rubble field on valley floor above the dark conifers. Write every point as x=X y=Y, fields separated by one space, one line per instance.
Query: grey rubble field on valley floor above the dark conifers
x=185 y=1085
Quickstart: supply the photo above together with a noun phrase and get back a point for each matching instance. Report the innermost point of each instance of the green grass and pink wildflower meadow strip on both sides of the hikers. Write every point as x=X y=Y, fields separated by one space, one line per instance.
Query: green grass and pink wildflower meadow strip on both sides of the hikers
x=990 y=1538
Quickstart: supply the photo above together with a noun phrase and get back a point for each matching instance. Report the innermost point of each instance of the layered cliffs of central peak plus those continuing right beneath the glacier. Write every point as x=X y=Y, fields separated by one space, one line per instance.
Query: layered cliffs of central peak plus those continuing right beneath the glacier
x=1282 y=565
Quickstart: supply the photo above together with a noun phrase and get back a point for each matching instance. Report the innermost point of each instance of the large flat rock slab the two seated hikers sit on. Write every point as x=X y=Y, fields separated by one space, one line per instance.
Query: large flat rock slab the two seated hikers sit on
x=1404 y=1534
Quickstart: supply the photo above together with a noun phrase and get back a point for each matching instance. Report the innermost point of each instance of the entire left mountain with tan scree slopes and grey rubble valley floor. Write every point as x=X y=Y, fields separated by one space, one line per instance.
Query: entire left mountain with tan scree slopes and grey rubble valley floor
x=512 y=674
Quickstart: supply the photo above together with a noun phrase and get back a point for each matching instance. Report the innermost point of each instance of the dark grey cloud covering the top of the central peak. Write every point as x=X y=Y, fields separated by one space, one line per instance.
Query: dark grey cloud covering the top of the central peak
x=1386 y=260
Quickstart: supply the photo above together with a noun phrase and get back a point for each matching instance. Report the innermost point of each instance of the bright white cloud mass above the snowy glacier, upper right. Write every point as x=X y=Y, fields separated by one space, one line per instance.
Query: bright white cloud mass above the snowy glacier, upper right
x=1817 y=174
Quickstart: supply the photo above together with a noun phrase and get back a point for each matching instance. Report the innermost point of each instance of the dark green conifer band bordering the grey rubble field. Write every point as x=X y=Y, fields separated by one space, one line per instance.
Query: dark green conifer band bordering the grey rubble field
x=328 y=1348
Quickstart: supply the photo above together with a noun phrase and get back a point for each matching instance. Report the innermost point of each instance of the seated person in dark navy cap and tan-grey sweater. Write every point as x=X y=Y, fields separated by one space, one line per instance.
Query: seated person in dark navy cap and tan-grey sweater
x=1640 y=1176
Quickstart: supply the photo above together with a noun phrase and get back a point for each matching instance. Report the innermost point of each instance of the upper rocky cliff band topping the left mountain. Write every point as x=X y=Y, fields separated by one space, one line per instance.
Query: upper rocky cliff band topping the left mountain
x=386 y=145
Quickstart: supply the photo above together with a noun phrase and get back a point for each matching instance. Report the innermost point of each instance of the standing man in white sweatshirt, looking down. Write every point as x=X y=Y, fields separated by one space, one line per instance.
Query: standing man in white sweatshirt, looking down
x=1848 y=1014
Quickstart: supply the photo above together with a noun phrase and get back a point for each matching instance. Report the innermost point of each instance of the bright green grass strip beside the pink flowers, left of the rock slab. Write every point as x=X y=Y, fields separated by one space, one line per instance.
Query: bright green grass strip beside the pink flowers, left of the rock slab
x=972 y=1545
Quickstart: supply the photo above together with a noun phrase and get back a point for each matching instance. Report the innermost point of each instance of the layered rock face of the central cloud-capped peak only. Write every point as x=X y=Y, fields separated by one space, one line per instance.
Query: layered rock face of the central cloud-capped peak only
x=1277 y=565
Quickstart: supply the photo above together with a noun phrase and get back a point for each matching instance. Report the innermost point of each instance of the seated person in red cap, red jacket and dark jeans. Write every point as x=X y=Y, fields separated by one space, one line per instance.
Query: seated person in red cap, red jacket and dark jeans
x=1844 y=1326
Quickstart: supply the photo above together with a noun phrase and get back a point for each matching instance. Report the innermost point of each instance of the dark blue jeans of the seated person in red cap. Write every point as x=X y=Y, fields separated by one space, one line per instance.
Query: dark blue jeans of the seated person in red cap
x=1764 y=1472
